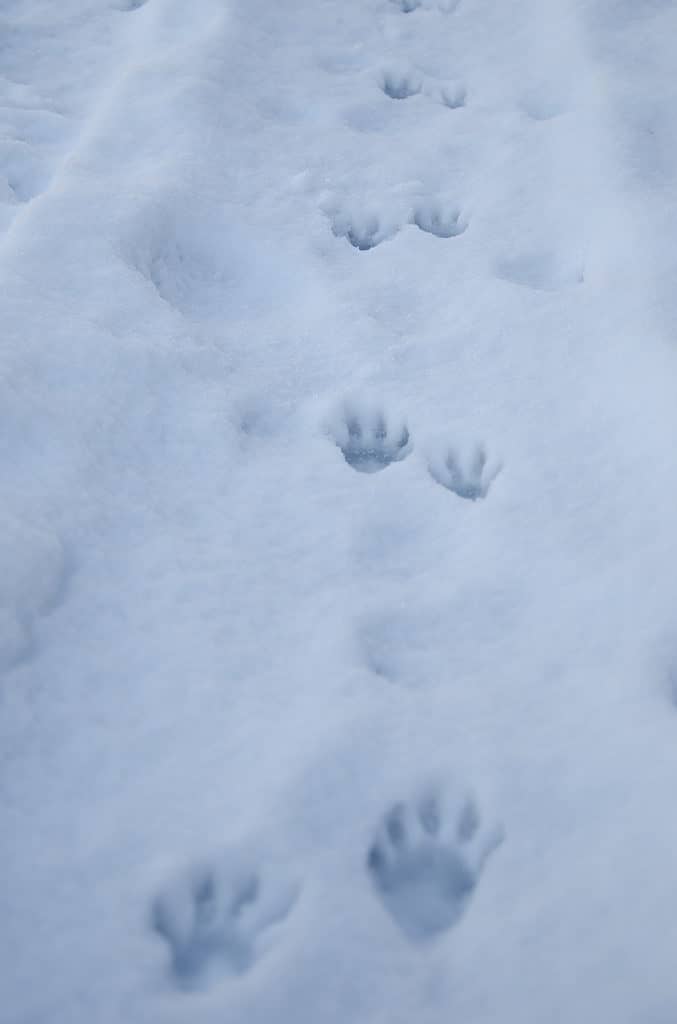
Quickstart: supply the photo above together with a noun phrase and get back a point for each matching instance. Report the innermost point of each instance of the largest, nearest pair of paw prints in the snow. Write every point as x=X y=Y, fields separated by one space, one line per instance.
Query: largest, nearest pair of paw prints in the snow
x=425 y=863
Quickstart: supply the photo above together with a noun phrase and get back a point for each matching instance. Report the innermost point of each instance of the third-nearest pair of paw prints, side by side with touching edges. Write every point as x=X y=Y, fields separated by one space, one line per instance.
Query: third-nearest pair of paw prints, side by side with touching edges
x=367 y=228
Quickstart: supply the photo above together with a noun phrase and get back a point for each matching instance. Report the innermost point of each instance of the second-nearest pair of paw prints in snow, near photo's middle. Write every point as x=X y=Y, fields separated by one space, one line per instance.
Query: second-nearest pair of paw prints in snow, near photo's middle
x=370 y=442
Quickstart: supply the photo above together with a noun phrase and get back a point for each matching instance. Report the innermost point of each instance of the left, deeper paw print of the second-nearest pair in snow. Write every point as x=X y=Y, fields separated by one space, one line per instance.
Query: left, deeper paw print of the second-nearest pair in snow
x=369 y=441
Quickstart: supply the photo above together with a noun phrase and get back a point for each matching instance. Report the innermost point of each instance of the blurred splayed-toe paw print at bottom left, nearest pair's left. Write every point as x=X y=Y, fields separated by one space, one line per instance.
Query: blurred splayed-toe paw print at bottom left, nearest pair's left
x=216 y=920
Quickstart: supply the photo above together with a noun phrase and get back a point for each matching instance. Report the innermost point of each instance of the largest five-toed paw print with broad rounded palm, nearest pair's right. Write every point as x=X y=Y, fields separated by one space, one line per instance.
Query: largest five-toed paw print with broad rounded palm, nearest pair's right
x=426 y=866
